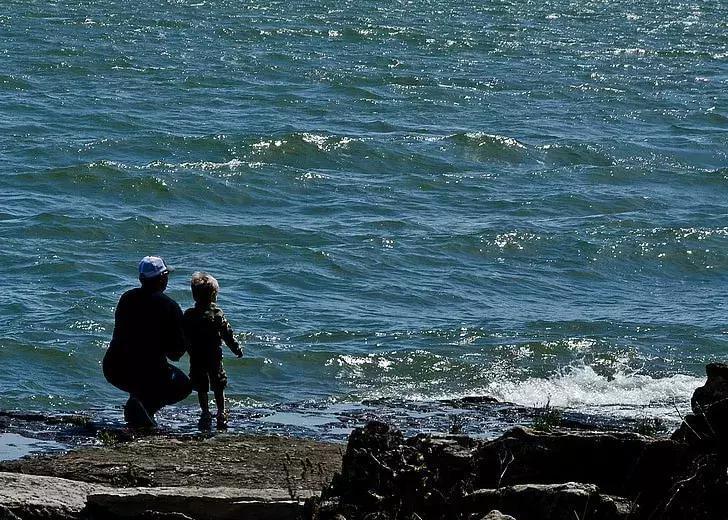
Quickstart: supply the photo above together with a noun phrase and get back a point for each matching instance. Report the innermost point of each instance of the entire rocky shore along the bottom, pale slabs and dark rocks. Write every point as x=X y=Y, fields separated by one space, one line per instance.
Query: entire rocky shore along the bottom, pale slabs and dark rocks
x=382 y=475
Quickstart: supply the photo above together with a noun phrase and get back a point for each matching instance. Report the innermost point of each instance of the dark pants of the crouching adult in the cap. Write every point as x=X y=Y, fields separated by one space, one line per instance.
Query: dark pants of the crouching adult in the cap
x=154 y=388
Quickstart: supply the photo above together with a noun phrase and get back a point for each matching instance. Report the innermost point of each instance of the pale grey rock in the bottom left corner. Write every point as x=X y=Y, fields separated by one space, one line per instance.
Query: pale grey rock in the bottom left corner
x=32 y=497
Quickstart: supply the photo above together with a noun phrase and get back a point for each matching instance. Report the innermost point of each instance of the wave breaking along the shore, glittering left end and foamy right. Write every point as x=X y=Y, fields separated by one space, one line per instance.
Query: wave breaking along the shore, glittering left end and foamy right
x=578 y=387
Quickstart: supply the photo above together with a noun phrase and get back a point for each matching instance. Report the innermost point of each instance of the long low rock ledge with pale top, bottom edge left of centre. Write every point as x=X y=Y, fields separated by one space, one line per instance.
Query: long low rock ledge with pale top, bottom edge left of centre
x=195 y=503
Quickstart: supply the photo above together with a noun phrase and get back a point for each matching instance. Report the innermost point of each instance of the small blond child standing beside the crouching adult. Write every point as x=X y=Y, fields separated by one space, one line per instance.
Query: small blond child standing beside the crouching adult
x=206 y=328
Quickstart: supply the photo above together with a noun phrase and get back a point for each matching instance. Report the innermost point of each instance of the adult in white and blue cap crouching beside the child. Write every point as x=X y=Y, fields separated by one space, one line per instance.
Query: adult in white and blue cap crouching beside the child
x=147 y=332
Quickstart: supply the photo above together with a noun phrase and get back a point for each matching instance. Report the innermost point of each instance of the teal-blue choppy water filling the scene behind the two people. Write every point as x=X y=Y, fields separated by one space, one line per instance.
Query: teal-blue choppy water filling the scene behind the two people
x=415 y=200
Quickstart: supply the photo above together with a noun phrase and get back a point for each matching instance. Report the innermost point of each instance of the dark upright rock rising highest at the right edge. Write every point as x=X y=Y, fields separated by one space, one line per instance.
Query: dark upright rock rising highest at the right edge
x=707 y=427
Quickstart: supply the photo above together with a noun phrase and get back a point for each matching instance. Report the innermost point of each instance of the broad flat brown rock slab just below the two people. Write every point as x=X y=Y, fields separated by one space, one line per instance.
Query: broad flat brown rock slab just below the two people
x=229 y=460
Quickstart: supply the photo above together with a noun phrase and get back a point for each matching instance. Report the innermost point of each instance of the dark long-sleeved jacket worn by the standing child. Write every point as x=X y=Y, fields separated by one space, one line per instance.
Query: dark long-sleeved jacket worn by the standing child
x=206 y=329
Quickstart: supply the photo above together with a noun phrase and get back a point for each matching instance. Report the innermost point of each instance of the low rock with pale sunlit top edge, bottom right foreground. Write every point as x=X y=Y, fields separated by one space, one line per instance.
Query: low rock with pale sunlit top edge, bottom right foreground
x=548 y=502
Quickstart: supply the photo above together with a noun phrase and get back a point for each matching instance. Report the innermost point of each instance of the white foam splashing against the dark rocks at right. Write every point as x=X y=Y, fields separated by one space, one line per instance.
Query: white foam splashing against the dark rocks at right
x=580 y=387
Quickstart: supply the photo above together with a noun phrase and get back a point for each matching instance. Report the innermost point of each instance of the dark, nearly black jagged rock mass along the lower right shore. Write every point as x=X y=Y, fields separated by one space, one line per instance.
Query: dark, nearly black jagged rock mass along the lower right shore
x=539 y=476
